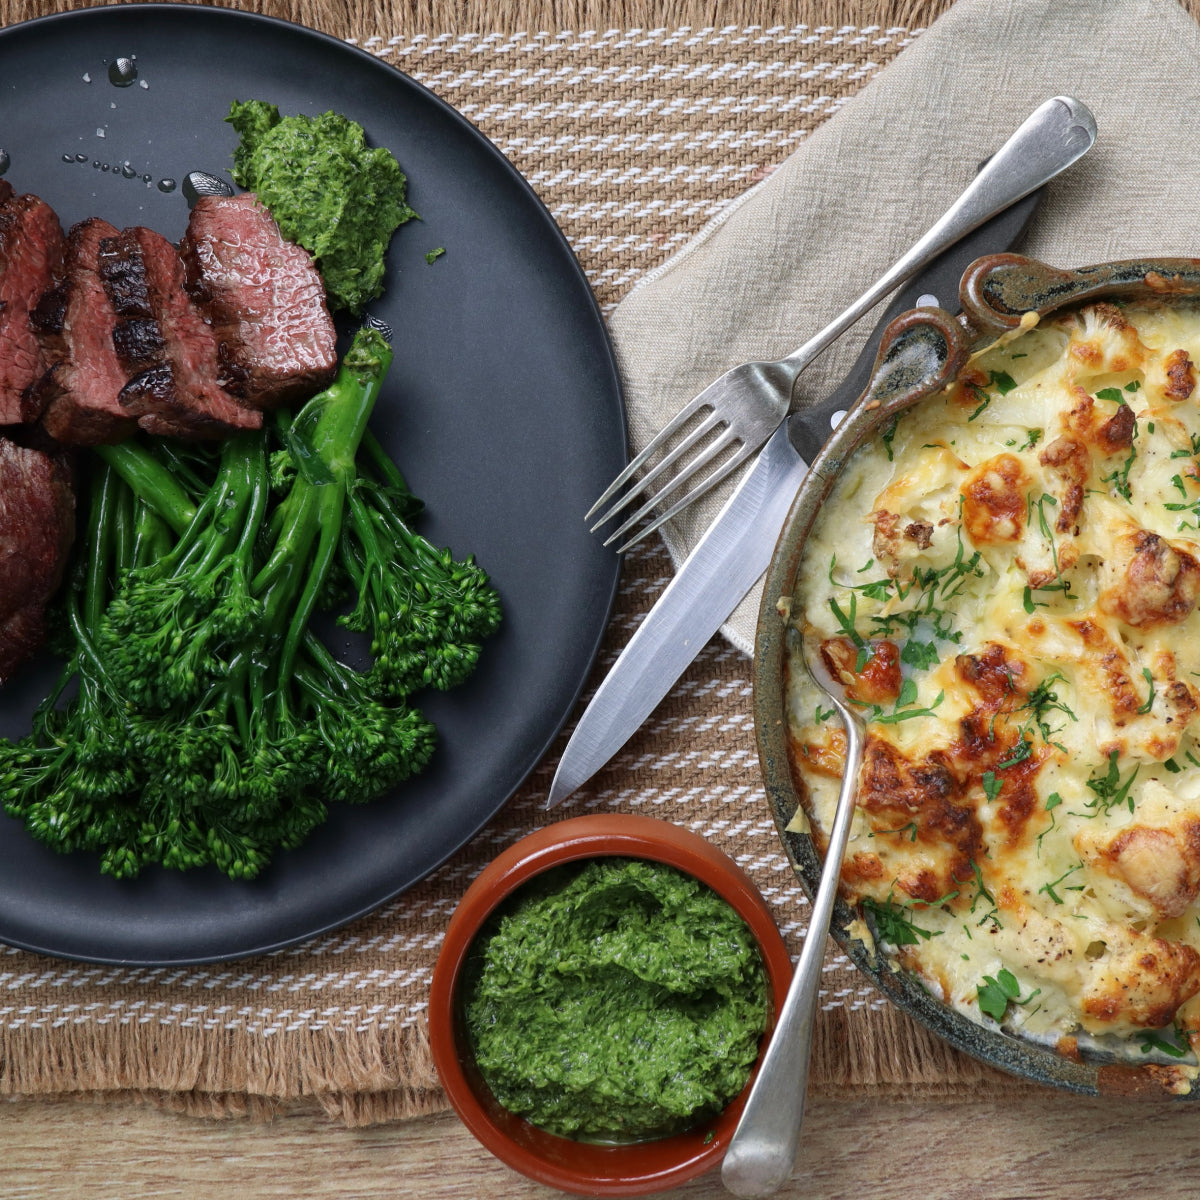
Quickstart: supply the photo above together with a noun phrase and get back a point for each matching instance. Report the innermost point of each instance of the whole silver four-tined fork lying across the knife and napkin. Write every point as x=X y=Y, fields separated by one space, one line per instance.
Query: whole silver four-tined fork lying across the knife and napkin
x=743 y=407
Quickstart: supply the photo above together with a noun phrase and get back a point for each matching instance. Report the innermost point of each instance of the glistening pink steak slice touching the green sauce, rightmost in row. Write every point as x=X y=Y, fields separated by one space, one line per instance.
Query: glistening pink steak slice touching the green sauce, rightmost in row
x=265 y=299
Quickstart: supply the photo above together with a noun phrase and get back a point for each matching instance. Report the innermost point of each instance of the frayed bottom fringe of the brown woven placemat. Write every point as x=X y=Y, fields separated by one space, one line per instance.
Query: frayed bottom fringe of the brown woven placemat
x=243 y=1076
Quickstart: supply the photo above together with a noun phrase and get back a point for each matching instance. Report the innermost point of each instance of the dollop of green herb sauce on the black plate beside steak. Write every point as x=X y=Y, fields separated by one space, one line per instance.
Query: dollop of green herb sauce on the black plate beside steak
x=328 y=191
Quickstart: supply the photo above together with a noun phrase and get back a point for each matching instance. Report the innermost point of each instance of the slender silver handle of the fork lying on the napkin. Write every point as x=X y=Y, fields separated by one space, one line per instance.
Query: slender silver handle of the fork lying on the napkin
x=1058 y=134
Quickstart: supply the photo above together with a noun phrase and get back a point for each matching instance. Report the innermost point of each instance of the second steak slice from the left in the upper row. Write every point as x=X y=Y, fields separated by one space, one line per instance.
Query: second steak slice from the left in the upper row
x=83 y=383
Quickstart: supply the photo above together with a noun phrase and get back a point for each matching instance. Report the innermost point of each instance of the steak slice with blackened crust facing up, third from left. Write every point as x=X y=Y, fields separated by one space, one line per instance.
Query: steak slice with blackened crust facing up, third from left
x=164 y=343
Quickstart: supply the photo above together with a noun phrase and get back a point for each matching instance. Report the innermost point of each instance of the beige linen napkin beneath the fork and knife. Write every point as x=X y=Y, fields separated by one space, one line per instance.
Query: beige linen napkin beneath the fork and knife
x=778 y=266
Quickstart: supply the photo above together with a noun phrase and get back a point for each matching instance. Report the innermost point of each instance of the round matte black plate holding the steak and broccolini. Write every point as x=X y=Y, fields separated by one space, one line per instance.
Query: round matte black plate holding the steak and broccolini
x=503 y=410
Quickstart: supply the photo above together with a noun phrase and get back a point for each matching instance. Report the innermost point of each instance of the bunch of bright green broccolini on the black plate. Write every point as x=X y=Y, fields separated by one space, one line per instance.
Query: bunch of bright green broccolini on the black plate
x=209 y=723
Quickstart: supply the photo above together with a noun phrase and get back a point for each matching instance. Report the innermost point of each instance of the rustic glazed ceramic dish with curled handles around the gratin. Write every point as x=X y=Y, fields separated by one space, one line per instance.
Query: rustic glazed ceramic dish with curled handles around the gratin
x=921 y=352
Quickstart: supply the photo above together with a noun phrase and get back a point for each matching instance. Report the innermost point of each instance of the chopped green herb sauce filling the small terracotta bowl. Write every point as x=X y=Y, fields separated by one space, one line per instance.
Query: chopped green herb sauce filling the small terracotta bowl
x=616 y=1001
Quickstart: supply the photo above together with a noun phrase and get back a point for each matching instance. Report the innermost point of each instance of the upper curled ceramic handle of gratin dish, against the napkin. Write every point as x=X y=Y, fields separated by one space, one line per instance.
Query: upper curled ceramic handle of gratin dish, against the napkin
x=999 y=290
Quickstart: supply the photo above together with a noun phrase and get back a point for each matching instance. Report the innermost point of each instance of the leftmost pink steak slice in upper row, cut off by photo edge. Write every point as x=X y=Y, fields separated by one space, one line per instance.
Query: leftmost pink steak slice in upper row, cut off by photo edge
x=31 y=265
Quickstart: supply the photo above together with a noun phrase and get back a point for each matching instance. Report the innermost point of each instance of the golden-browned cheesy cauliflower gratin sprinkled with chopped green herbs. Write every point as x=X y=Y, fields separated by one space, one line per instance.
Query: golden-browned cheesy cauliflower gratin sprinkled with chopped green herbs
x=1007 y=583
